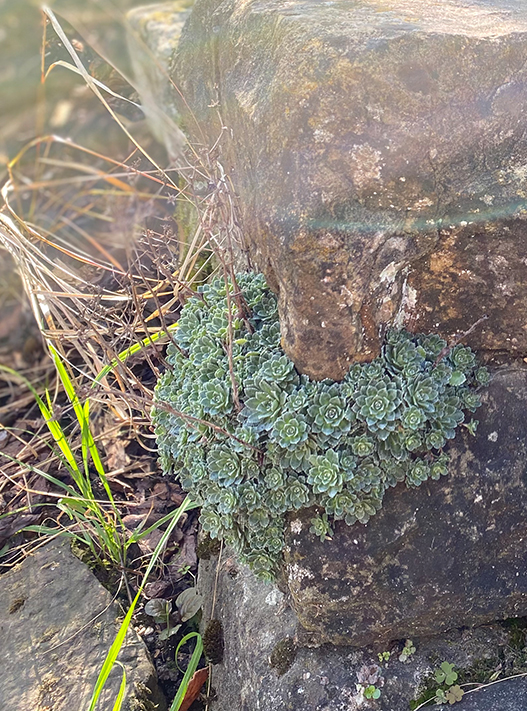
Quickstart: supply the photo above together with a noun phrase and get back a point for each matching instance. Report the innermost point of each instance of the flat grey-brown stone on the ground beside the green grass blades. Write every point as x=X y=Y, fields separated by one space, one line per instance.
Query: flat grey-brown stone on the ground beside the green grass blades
x=57 y=623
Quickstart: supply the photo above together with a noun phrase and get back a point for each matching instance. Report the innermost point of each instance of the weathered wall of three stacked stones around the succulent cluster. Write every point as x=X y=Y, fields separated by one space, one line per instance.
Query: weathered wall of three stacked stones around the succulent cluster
x=378 y=150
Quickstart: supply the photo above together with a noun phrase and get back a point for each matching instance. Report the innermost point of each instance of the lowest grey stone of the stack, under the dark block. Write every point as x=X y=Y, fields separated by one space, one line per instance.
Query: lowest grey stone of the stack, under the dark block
x=256 y=617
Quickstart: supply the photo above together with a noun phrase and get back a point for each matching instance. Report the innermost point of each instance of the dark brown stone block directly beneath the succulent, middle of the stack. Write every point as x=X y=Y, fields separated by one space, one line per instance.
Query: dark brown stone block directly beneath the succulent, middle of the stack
x=450 y=553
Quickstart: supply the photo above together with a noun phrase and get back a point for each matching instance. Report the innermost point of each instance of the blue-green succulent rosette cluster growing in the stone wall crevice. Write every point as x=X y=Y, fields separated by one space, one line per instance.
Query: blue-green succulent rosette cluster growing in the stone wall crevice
x=283 y=442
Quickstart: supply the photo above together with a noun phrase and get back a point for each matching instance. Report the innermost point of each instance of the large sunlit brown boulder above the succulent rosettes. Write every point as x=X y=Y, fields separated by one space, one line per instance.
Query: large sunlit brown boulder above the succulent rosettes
x=379 y=153
